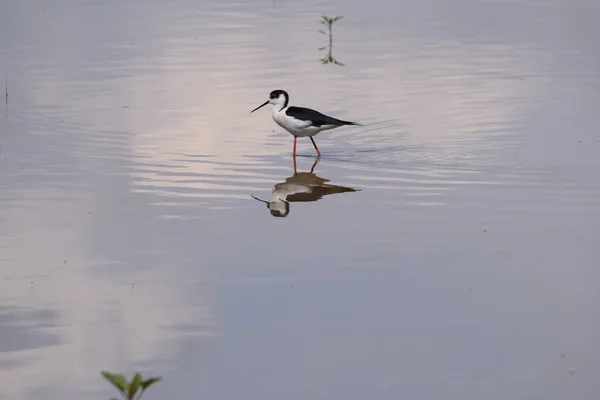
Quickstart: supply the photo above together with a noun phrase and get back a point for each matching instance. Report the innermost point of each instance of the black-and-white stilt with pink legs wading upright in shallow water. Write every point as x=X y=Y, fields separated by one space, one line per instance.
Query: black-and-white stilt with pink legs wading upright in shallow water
x=299 y=121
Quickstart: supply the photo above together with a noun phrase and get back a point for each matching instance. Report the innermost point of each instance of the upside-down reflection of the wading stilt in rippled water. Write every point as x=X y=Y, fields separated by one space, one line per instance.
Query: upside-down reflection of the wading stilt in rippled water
x=300 y=187
